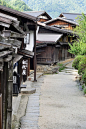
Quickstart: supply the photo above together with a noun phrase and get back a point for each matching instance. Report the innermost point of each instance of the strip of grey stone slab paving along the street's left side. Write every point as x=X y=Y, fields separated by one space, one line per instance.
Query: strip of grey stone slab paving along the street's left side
x=30 y=120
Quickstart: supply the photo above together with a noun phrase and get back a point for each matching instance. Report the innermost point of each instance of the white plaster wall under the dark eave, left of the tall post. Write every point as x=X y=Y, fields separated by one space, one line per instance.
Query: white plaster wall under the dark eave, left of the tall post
x=31 y=44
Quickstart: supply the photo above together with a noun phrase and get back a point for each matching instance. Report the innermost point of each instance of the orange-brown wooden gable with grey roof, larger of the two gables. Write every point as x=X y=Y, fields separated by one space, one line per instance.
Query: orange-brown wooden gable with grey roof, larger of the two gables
x=62 y=23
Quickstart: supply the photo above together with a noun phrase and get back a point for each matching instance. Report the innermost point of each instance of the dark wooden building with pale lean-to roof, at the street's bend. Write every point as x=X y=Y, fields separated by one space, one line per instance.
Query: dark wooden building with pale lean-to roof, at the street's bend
x=52 y=44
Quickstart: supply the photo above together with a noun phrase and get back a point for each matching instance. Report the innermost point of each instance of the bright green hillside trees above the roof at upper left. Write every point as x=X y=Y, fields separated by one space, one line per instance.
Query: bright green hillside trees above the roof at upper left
x=15 y=4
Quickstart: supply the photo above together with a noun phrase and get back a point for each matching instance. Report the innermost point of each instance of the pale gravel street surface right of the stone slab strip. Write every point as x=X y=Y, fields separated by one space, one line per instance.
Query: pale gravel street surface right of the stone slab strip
x=62 y=104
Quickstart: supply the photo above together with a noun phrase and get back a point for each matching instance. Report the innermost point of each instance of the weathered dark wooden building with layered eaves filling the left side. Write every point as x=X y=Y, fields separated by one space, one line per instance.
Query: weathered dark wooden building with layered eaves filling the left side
x=18 y=47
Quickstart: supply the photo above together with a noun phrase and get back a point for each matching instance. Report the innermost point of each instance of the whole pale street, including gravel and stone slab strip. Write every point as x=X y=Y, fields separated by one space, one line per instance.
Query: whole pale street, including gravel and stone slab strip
x=57 y=104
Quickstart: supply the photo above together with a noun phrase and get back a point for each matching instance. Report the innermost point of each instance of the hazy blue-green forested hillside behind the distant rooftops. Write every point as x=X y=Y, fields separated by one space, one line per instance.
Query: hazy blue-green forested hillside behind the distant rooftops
x=55 y=7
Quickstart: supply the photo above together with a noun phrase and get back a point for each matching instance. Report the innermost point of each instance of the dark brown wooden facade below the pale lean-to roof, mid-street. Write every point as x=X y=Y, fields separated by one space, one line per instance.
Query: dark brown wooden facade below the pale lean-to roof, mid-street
x=52 y=54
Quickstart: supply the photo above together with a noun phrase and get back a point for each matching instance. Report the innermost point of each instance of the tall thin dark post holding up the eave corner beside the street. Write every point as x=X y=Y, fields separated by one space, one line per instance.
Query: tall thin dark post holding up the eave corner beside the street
x=35 y=54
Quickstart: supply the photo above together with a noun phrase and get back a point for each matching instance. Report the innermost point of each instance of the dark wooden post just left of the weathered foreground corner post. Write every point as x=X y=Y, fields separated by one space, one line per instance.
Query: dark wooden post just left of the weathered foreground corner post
x=3 y=85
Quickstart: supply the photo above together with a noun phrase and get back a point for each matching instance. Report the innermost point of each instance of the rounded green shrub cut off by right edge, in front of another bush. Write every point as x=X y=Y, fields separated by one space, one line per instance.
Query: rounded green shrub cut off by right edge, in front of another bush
x=82 y=65
